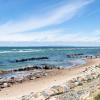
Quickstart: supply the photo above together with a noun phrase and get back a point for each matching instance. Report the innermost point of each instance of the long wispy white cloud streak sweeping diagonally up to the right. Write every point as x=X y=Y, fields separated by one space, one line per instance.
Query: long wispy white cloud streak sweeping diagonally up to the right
x=56 y=16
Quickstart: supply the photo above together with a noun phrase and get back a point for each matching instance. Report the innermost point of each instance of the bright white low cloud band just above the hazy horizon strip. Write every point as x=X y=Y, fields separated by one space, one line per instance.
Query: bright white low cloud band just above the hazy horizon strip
x=51 y=36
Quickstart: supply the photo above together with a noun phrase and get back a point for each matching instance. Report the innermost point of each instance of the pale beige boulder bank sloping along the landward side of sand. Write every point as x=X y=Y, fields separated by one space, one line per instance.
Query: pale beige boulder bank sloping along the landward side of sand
x=66 y=91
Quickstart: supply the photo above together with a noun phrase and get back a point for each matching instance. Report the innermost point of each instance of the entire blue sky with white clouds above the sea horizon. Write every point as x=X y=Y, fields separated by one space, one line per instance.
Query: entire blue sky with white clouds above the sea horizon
x=49 y=22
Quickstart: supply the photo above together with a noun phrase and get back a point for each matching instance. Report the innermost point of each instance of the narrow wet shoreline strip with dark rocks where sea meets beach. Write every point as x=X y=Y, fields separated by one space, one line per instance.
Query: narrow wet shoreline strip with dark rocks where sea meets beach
x=46 y=67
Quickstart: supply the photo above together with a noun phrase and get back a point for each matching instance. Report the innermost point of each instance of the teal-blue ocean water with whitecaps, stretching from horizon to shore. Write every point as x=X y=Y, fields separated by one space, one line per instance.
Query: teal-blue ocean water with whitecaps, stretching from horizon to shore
x=57 y=56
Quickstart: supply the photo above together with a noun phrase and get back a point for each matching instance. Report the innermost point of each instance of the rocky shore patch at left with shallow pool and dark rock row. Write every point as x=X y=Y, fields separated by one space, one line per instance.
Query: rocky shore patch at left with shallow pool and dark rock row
x=15 y=76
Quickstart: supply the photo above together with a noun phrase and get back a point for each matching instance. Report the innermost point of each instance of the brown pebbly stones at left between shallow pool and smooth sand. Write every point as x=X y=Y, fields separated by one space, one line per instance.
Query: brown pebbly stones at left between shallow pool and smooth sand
x=31 y=75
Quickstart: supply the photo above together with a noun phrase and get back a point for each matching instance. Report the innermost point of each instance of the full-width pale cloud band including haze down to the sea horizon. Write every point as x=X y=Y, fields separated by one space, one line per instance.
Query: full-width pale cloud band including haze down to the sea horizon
x=50 y=37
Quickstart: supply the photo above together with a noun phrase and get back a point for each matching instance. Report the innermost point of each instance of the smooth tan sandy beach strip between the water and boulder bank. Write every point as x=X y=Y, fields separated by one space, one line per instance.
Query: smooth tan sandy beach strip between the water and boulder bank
x=54 y=77
